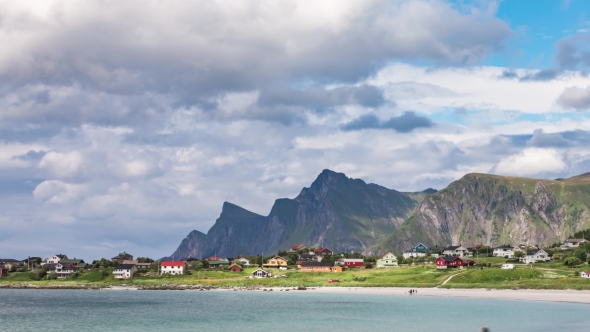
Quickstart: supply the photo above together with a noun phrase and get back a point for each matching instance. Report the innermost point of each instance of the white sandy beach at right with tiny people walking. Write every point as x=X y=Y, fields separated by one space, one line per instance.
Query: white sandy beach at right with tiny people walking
x=572 y=296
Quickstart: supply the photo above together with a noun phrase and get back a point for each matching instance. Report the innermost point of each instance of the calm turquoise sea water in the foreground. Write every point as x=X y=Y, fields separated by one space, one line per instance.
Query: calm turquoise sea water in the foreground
x=77 y=310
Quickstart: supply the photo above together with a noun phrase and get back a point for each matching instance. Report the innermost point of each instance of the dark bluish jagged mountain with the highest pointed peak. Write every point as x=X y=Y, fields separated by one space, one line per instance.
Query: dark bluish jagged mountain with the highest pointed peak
x=335 y=211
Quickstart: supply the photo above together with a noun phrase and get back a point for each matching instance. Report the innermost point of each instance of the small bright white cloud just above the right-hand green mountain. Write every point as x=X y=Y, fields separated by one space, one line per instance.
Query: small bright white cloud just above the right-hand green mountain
x=531 y=162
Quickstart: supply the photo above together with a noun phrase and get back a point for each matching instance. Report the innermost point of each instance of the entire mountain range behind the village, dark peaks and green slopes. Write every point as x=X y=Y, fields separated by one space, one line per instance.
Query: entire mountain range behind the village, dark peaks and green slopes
x=351 y=215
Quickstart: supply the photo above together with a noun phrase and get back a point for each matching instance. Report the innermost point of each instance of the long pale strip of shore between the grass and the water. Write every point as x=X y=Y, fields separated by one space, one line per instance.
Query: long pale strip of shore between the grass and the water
x=539 y=295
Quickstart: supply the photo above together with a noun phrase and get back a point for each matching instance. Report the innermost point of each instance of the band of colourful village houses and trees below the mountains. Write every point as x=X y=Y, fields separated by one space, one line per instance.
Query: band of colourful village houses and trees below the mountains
x=303 y=259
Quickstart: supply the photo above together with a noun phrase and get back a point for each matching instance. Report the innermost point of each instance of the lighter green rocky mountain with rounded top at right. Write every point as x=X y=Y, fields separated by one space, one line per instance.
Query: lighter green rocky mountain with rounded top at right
x=490 y=209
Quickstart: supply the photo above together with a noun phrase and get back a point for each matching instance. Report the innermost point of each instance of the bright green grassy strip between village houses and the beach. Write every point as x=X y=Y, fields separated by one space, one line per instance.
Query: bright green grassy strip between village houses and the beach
x=540 y=276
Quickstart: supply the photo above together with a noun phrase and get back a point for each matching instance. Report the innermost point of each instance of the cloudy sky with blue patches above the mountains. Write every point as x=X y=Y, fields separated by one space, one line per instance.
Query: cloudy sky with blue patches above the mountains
x=124 y=125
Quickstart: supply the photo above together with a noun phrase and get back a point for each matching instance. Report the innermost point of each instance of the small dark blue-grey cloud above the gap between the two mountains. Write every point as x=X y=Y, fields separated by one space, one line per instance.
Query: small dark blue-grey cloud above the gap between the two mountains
x=404 y=123
